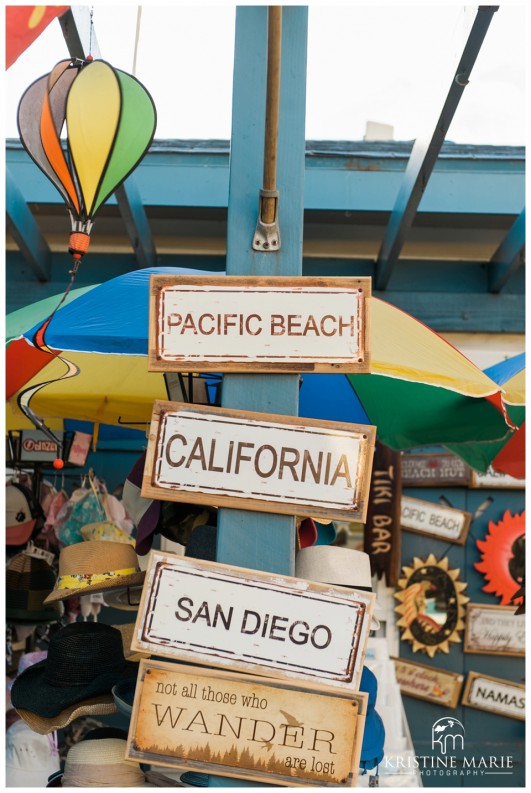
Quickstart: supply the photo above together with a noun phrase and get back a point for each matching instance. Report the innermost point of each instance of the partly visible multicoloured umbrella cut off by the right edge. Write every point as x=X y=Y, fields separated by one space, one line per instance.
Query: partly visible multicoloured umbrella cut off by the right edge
x=508 y=454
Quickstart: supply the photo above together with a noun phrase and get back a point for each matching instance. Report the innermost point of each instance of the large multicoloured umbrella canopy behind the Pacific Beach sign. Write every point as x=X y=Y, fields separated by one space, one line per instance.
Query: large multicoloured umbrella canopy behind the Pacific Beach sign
x=422 y=390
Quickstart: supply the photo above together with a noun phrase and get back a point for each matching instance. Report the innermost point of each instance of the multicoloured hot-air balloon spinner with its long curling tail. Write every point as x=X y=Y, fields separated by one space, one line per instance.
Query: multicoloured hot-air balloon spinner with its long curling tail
x=109 y=119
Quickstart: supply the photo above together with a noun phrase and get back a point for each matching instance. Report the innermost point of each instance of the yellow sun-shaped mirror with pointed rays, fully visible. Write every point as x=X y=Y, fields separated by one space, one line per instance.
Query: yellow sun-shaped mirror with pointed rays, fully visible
x=431 y=605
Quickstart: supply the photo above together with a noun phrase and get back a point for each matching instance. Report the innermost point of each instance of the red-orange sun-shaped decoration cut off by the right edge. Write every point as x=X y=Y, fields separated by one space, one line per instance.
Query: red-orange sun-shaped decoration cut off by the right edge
x=503 y=557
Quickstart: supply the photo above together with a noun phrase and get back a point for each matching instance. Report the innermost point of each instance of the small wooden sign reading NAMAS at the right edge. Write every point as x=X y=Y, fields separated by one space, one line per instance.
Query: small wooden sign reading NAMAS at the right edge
x=495 y=695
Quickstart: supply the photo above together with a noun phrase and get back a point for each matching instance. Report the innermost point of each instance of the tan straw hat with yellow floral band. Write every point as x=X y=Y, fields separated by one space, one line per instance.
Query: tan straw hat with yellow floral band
x=95 y=566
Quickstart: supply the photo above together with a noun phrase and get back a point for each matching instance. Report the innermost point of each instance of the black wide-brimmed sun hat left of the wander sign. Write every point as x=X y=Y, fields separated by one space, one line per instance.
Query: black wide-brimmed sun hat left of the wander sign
x=84 y=661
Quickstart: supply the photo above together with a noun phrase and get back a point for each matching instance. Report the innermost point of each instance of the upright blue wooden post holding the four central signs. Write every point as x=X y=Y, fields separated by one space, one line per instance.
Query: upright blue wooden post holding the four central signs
x=252 y=539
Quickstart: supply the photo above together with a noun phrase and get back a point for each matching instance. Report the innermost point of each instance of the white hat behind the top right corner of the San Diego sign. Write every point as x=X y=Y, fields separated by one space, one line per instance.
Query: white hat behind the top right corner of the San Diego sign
x=333 y=564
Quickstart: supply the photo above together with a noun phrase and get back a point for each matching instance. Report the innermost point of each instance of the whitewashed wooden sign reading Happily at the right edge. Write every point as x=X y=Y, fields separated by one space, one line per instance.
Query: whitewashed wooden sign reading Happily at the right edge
x=494 y=630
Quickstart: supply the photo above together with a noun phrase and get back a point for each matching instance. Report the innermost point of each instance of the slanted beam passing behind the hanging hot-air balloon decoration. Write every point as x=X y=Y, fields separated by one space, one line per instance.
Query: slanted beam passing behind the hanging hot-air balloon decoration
x=81 y=41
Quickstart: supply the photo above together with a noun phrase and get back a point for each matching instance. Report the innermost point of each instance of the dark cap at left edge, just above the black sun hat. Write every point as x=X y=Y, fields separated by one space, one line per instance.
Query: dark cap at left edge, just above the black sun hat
x=29 y=582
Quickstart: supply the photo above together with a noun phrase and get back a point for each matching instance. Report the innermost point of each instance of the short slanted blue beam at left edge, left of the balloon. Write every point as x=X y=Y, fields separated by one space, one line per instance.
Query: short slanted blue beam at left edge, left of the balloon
x=23 y=226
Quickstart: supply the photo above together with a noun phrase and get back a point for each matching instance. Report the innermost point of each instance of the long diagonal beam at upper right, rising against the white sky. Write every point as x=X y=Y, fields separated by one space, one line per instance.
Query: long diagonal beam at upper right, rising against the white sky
x=425 y=153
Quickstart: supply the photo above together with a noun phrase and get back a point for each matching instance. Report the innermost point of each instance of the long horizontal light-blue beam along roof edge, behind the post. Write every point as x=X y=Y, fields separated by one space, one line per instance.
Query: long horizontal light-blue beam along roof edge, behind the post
x=483 y=180
